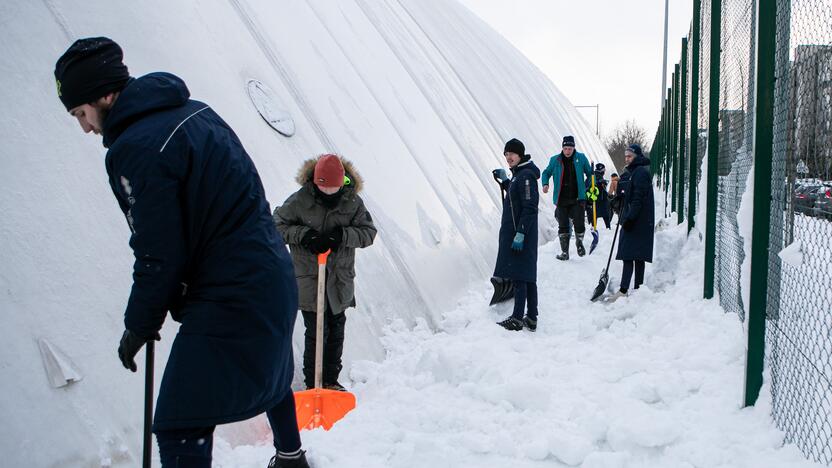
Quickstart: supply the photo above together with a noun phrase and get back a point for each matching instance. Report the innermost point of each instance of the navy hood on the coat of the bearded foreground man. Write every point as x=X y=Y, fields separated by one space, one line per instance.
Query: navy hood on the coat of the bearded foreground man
x=142 y=96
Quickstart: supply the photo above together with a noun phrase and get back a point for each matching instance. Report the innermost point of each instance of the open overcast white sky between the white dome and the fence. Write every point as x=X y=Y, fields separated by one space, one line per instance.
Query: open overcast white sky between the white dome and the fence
x=606 y=52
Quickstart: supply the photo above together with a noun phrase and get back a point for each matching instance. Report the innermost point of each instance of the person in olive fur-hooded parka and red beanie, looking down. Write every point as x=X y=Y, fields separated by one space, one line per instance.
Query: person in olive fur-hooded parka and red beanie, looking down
x=325 y=214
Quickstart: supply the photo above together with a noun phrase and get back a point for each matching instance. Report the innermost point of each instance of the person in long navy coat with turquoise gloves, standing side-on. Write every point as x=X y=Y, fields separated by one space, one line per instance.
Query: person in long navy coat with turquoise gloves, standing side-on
x=517 y=252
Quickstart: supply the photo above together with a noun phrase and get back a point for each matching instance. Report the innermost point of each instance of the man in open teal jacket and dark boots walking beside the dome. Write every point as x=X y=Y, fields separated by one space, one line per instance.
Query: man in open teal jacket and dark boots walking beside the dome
x=570 y=172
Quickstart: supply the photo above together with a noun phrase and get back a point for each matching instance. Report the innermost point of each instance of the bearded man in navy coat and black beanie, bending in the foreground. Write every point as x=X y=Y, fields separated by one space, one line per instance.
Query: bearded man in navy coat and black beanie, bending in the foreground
x=206 y=251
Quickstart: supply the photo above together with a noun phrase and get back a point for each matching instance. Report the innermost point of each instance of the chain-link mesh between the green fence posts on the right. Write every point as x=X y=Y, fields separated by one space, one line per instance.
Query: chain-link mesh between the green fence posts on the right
x=798 y=341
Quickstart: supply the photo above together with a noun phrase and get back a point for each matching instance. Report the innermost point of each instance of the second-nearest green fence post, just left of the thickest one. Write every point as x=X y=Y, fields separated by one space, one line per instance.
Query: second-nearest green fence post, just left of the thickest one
x=713 y=148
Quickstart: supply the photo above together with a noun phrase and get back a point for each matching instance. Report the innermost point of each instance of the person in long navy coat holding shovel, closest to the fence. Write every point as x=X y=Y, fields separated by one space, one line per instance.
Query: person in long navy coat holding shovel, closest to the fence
x=637 y=219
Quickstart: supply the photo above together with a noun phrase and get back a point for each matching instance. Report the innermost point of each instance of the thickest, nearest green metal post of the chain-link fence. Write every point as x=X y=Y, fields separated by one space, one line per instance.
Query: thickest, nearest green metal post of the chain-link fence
x=763 y=152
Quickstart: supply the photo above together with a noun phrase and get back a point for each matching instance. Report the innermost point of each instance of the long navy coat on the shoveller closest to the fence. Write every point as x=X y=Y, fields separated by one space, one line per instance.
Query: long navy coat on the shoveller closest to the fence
x=636 y=188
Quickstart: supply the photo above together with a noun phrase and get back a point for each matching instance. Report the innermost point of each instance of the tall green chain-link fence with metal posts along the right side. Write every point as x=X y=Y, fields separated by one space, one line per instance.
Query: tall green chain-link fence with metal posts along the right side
x=748 y=122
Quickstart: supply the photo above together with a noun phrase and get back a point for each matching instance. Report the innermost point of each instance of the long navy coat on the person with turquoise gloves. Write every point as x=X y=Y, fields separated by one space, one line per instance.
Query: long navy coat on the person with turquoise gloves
x=519 y=215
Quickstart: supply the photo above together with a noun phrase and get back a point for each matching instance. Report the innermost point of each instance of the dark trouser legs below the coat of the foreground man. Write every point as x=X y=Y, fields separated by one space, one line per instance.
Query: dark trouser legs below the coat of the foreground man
x=192 y=447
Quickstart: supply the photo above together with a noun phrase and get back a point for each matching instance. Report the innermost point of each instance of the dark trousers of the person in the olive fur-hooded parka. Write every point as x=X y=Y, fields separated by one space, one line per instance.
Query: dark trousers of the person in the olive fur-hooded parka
x=333 y=346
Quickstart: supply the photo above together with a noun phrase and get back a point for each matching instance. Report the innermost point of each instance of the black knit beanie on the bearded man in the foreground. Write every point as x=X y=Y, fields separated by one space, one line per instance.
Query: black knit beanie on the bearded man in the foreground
x=90 y=69
